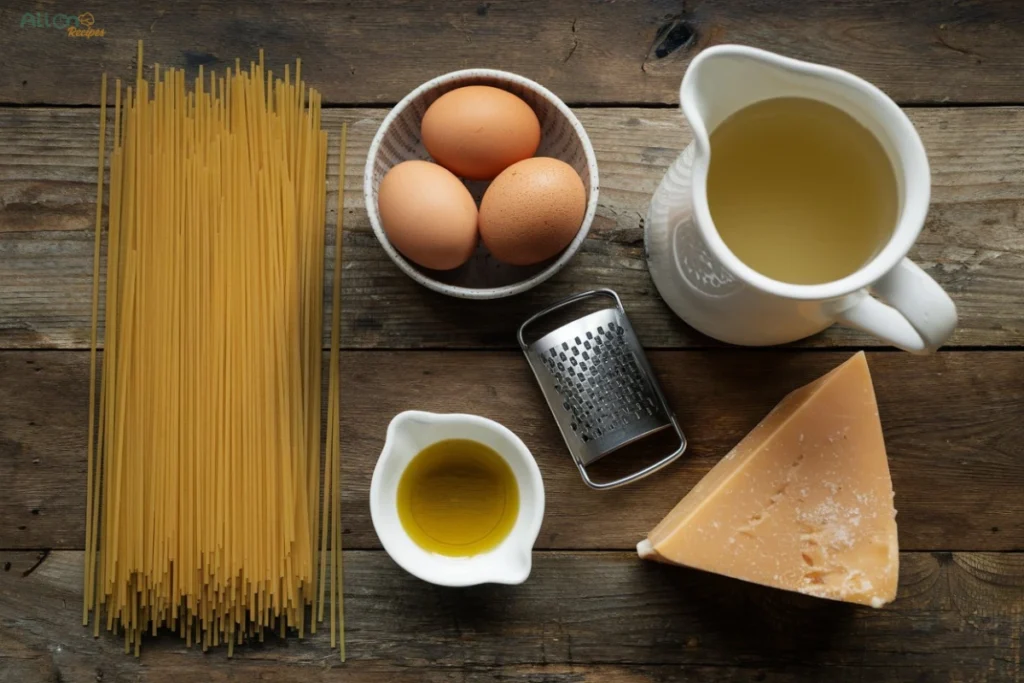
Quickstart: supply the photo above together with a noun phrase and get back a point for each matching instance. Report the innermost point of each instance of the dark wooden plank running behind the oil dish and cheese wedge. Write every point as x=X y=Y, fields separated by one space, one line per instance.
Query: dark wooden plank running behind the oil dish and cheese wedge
x=953 y=424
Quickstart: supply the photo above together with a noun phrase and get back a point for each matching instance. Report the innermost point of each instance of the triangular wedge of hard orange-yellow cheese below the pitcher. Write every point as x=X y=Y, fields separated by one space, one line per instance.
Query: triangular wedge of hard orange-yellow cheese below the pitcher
x=804 y=503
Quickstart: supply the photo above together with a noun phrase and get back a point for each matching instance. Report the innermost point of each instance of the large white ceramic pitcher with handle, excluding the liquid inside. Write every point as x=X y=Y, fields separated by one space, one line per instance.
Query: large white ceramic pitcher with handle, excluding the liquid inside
x=716 y=293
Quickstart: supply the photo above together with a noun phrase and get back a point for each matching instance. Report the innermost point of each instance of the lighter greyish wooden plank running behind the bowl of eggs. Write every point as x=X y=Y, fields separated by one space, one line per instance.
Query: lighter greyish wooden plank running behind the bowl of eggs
x=973 y=243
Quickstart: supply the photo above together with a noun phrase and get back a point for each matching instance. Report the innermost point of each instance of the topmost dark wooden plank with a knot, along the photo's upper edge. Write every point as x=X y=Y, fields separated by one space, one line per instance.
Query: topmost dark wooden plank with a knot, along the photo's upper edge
x=373 y=52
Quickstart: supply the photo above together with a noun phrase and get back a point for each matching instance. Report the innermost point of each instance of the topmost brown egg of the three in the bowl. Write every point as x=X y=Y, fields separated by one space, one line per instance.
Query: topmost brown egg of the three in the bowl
x=479 y=132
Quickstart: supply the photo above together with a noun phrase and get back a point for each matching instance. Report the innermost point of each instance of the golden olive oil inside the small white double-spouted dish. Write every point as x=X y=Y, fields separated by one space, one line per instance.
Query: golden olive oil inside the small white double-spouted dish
x=458 y=498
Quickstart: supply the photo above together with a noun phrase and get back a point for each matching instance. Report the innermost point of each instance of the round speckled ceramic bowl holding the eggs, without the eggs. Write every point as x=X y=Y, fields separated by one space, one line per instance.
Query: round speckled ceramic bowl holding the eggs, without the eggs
x=563 y=137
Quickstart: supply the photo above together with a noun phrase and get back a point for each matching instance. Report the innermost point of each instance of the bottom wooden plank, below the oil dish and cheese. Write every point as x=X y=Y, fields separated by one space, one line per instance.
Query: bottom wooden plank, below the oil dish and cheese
x=591 y=617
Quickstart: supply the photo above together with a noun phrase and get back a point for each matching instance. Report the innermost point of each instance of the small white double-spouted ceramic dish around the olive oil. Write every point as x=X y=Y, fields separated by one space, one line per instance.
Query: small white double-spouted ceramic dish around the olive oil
x=411 y=433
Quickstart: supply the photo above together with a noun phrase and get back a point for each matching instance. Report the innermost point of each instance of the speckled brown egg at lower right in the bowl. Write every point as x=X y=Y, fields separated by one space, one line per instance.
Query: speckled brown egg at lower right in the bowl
x=533 y=210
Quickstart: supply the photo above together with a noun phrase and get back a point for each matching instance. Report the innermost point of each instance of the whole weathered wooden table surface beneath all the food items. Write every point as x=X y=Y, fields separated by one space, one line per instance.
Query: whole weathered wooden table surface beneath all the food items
x=591 y=612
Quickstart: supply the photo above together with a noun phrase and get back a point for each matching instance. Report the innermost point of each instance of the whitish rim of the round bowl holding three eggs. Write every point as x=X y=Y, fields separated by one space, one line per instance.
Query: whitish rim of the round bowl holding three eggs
x=468 y=292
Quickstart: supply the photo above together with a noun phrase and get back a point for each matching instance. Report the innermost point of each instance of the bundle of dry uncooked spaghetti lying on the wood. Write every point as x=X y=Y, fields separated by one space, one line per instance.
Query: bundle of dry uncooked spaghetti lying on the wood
x=204 y=513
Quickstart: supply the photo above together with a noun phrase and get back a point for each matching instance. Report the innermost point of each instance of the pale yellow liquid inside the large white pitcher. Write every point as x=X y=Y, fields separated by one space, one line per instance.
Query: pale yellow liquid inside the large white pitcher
x=801 y=192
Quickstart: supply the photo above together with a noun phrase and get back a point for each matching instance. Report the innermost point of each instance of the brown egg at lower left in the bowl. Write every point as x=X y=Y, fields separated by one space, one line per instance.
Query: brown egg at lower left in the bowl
x=429 y=216
